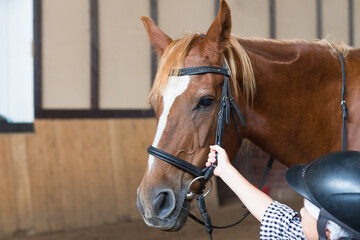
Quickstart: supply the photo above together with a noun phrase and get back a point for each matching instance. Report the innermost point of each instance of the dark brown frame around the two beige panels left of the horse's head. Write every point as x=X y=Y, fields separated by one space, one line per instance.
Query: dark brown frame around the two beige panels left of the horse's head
x=94 y=111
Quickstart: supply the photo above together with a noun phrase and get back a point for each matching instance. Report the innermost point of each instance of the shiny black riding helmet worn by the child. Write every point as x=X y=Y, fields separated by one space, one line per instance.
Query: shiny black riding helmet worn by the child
x=332 y=183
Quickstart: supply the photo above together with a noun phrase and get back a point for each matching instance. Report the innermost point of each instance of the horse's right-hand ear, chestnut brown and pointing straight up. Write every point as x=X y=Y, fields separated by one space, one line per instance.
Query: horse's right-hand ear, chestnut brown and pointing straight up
x=218 y=35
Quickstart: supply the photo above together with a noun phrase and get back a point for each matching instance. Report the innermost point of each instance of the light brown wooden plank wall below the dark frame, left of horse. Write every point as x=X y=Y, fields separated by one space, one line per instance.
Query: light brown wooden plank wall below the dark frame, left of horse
x=72 y=173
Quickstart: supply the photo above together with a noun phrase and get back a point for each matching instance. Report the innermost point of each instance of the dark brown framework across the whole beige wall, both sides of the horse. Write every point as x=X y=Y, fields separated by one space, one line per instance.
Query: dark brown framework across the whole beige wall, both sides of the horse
x=94 y=111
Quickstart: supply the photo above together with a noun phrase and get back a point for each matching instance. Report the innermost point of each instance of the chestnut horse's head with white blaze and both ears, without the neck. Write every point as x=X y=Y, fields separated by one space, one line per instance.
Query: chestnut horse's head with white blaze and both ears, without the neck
x=186 y=110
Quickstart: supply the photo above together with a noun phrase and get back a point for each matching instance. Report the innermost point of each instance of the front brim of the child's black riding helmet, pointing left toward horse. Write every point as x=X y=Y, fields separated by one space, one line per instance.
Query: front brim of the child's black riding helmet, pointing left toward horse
x=296 y=179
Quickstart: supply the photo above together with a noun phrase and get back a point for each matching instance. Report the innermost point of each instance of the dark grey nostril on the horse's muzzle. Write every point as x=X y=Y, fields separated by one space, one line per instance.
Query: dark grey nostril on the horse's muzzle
x=164 y=203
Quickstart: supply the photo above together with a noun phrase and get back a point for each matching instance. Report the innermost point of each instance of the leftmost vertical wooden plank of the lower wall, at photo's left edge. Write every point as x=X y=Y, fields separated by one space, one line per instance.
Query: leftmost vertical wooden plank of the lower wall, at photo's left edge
x=8 y=214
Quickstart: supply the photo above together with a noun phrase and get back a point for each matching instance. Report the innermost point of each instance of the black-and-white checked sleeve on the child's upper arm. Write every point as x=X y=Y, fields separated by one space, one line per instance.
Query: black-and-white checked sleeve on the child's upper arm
x=280 y=222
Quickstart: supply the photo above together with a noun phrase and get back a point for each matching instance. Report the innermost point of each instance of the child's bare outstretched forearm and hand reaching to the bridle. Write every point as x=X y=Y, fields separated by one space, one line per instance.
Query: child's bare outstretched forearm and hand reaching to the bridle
x=254 y=199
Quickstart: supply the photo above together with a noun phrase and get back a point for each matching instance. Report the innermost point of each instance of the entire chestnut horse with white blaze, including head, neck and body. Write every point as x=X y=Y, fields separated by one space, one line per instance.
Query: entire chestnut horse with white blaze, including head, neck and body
x=289 y=92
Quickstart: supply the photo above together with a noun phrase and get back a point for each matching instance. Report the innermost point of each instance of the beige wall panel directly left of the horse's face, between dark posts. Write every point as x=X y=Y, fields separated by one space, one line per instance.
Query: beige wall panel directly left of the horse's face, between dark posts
x=125 y=66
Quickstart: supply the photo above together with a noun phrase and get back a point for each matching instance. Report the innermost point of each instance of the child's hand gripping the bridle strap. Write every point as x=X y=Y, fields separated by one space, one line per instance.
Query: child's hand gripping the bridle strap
x=223 y=160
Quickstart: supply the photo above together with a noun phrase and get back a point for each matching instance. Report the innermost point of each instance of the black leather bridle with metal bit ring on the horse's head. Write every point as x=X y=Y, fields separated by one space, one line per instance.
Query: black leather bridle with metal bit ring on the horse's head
x=227 y=105
